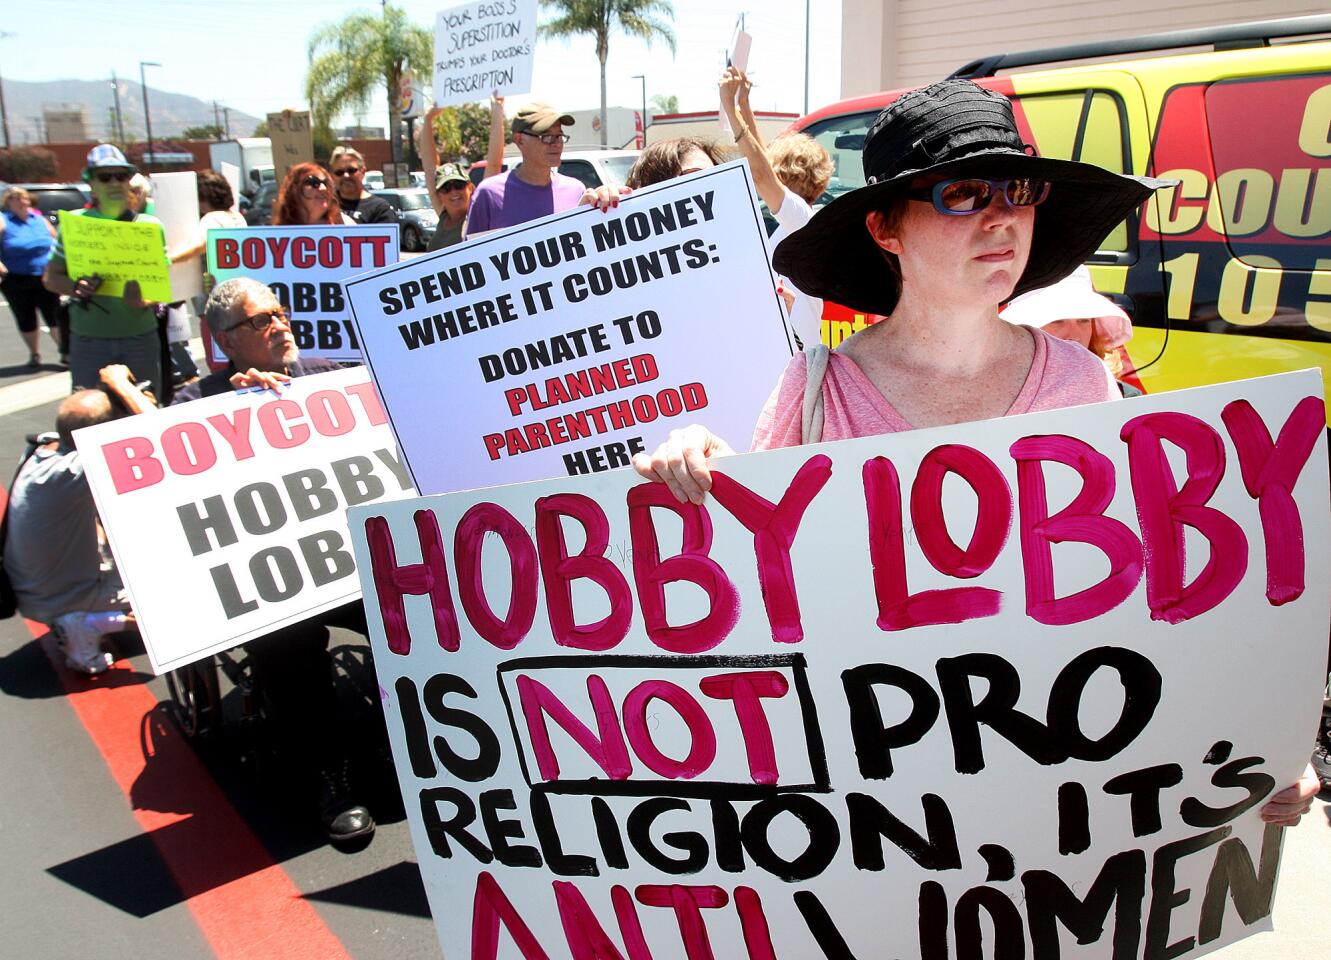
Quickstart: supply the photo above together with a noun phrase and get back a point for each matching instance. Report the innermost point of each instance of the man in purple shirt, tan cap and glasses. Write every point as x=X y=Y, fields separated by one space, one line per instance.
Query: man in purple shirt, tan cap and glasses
x=534 y=188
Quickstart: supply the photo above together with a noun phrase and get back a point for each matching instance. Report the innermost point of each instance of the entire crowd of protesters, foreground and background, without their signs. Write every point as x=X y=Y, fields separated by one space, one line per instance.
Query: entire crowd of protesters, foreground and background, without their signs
x=986 y=319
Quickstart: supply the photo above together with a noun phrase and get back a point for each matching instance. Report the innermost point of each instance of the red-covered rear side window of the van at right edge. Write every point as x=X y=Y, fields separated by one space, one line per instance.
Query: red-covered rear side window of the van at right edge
x=1272 y=154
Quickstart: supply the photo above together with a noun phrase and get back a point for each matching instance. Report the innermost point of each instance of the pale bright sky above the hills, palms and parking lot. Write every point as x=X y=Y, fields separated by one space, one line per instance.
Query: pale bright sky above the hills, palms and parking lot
x=252 y=54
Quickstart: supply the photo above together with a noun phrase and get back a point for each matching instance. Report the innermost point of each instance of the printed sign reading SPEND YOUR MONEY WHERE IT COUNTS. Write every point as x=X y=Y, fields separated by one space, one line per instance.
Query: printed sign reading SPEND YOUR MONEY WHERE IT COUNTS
x=565 y=346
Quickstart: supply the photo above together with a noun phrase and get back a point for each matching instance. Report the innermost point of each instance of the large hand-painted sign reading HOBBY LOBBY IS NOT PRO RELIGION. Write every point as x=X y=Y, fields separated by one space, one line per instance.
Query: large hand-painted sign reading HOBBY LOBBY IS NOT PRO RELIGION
x=1024 y=682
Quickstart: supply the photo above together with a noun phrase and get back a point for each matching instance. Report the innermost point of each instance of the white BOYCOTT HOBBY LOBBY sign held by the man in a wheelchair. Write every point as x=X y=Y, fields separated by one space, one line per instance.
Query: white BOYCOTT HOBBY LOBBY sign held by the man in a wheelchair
x=228 y=516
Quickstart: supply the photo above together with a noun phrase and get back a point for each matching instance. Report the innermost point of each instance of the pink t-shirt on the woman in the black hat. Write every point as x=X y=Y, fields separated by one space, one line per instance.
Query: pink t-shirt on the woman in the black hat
x=1061 y=375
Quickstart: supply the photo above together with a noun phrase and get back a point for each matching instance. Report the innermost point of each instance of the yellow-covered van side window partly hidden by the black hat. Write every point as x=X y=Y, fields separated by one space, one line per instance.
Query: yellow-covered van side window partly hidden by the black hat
x=1085 y=126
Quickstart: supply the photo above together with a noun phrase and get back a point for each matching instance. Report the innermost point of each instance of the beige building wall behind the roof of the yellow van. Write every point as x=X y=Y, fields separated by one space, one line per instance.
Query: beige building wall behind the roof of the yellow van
x=887 y=45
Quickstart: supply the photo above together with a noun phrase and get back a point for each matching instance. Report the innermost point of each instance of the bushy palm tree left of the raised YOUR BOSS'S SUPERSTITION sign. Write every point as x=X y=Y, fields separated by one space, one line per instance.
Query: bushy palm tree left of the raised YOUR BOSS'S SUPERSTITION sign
x=361 y=53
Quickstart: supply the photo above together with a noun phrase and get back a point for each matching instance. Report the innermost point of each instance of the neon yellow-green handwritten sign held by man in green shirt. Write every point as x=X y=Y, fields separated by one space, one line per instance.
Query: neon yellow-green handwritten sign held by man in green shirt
x=118 y=252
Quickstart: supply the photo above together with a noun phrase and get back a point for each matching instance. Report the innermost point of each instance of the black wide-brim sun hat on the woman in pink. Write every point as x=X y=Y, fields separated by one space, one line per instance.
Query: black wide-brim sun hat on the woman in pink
x=959 y=130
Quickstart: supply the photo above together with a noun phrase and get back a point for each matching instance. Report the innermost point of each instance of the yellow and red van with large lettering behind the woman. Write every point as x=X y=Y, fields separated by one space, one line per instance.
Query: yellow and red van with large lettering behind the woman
x=1228 y=275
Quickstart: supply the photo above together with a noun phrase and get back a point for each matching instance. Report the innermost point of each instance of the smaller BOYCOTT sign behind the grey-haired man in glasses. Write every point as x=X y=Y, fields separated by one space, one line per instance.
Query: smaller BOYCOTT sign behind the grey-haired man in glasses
x=305 y=267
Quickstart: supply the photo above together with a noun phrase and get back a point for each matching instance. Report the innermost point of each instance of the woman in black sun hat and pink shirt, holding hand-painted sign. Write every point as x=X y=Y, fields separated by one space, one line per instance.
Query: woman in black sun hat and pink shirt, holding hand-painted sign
x=958 y=218
